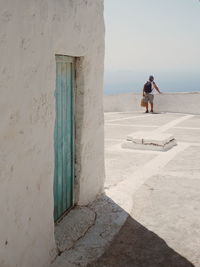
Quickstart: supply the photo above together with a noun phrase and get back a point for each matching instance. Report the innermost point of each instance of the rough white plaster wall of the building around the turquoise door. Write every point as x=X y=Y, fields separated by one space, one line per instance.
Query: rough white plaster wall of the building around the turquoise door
x=31 y=33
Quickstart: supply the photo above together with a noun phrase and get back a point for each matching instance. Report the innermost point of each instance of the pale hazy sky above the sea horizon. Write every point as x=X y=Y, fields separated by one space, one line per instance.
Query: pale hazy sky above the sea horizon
x=152 y=35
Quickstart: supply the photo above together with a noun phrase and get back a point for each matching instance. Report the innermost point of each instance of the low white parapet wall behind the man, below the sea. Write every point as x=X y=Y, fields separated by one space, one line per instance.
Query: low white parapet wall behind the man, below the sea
x=166 y=102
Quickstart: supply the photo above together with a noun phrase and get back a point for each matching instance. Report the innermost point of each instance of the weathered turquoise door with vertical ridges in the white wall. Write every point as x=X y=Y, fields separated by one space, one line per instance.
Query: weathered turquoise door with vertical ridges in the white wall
x=64 y=136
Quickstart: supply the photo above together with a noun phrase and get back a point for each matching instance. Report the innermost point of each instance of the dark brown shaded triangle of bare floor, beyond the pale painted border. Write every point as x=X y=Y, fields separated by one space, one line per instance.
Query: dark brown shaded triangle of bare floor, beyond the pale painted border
x=136 y=246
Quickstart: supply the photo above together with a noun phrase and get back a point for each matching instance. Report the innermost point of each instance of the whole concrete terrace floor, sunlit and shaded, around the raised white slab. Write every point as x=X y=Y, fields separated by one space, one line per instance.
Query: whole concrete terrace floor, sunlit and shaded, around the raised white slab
x=150 y=213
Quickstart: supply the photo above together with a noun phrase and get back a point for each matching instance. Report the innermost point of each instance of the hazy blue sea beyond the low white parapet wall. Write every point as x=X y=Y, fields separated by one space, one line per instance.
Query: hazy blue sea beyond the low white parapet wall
x=116 y=82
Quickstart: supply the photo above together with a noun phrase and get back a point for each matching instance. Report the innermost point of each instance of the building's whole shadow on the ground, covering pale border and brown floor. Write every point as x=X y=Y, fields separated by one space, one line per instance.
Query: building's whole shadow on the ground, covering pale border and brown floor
x=115 y=239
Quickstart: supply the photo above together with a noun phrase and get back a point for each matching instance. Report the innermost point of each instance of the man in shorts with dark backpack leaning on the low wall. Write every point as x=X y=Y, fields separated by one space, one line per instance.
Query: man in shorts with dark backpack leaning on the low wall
x=148 y=93
